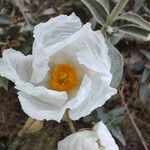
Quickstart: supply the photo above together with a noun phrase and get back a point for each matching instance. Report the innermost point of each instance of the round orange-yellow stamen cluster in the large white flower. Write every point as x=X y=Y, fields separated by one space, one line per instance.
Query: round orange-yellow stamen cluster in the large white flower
x=63 y=78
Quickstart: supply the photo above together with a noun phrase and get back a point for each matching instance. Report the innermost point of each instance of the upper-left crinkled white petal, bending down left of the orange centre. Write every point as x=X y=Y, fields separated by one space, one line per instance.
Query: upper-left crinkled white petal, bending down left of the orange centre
x=46 y=34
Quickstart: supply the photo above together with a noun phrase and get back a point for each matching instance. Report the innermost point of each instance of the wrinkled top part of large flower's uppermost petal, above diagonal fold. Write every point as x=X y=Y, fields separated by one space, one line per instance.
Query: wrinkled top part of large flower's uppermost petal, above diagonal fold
x=56 y=29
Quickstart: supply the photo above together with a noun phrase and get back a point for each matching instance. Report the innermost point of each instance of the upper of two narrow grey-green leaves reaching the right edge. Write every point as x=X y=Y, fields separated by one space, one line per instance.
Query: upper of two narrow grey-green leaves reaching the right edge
x=136 y=19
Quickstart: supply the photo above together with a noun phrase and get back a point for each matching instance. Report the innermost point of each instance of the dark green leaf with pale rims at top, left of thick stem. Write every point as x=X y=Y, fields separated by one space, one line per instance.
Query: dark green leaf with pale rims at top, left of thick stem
x=99 y=9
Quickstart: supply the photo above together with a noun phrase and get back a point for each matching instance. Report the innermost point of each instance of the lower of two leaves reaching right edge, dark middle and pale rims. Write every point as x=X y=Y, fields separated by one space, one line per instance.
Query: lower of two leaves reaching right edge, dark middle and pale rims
x=133 y=31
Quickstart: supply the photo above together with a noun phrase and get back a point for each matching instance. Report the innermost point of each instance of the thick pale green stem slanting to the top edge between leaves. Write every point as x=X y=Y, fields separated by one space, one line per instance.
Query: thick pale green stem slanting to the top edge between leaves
x=116 y=11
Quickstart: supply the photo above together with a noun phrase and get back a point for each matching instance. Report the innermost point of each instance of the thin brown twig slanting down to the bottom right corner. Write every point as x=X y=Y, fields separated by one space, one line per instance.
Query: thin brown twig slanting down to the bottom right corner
x=132 y=120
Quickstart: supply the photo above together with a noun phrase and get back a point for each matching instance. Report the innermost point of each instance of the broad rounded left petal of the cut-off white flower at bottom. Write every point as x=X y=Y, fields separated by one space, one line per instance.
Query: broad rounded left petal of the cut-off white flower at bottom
x=85 y=140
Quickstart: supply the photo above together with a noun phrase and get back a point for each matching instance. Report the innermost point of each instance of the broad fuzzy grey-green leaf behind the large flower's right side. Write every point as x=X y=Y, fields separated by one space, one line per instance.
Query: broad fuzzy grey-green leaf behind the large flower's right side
x=117 y=64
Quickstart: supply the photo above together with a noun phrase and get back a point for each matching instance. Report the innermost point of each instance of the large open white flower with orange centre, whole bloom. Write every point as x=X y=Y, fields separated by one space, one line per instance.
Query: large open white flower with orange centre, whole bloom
x=68 y=69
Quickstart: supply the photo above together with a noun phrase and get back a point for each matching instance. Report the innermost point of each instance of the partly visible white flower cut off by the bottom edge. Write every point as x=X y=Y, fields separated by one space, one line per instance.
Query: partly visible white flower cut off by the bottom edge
x=97 y=139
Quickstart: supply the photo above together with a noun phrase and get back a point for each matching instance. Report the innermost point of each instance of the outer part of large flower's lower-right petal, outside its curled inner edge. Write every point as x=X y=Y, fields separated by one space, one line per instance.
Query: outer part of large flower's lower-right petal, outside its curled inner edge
x=99 y=94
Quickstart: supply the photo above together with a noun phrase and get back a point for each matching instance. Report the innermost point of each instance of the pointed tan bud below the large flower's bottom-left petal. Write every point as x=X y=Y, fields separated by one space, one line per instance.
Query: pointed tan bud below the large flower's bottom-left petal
x=31 y=126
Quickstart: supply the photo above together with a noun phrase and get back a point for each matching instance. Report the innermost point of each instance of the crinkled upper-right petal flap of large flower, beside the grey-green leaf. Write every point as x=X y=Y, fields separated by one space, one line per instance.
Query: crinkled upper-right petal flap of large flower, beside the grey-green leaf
x=95 y=55
